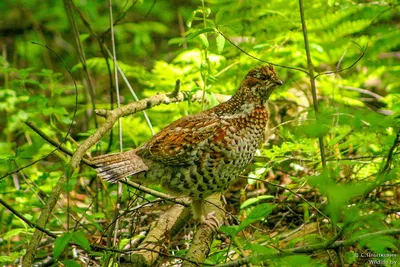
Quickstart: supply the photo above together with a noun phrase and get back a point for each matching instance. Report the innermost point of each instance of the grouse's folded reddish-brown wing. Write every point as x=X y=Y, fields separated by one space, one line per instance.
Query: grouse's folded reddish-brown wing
x=184 y=141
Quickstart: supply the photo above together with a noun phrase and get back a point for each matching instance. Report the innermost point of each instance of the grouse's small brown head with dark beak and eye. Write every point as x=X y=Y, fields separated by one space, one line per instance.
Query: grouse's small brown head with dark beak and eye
x=262 y=81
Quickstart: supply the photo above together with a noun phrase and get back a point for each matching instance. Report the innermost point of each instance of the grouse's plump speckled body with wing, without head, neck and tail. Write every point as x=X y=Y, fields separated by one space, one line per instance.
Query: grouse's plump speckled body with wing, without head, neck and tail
x=203 y=153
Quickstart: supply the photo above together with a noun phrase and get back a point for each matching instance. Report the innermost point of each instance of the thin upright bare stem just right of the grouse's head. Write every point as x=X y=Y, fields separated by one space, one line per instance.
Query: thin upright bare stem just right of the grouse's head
x=312 y=79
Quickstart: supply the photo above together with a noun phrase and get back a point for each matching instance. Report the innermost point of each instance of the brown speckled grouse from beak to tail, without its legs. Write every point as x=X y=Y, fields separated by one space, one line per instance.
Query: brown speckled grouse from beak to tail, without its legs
x=201 y=154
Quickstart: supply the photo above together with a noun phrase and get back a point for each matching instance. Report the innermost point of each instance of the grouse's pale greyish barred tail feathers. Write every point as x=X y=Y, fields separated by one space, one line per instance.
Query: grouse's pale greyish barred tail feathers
x=114 y=167
